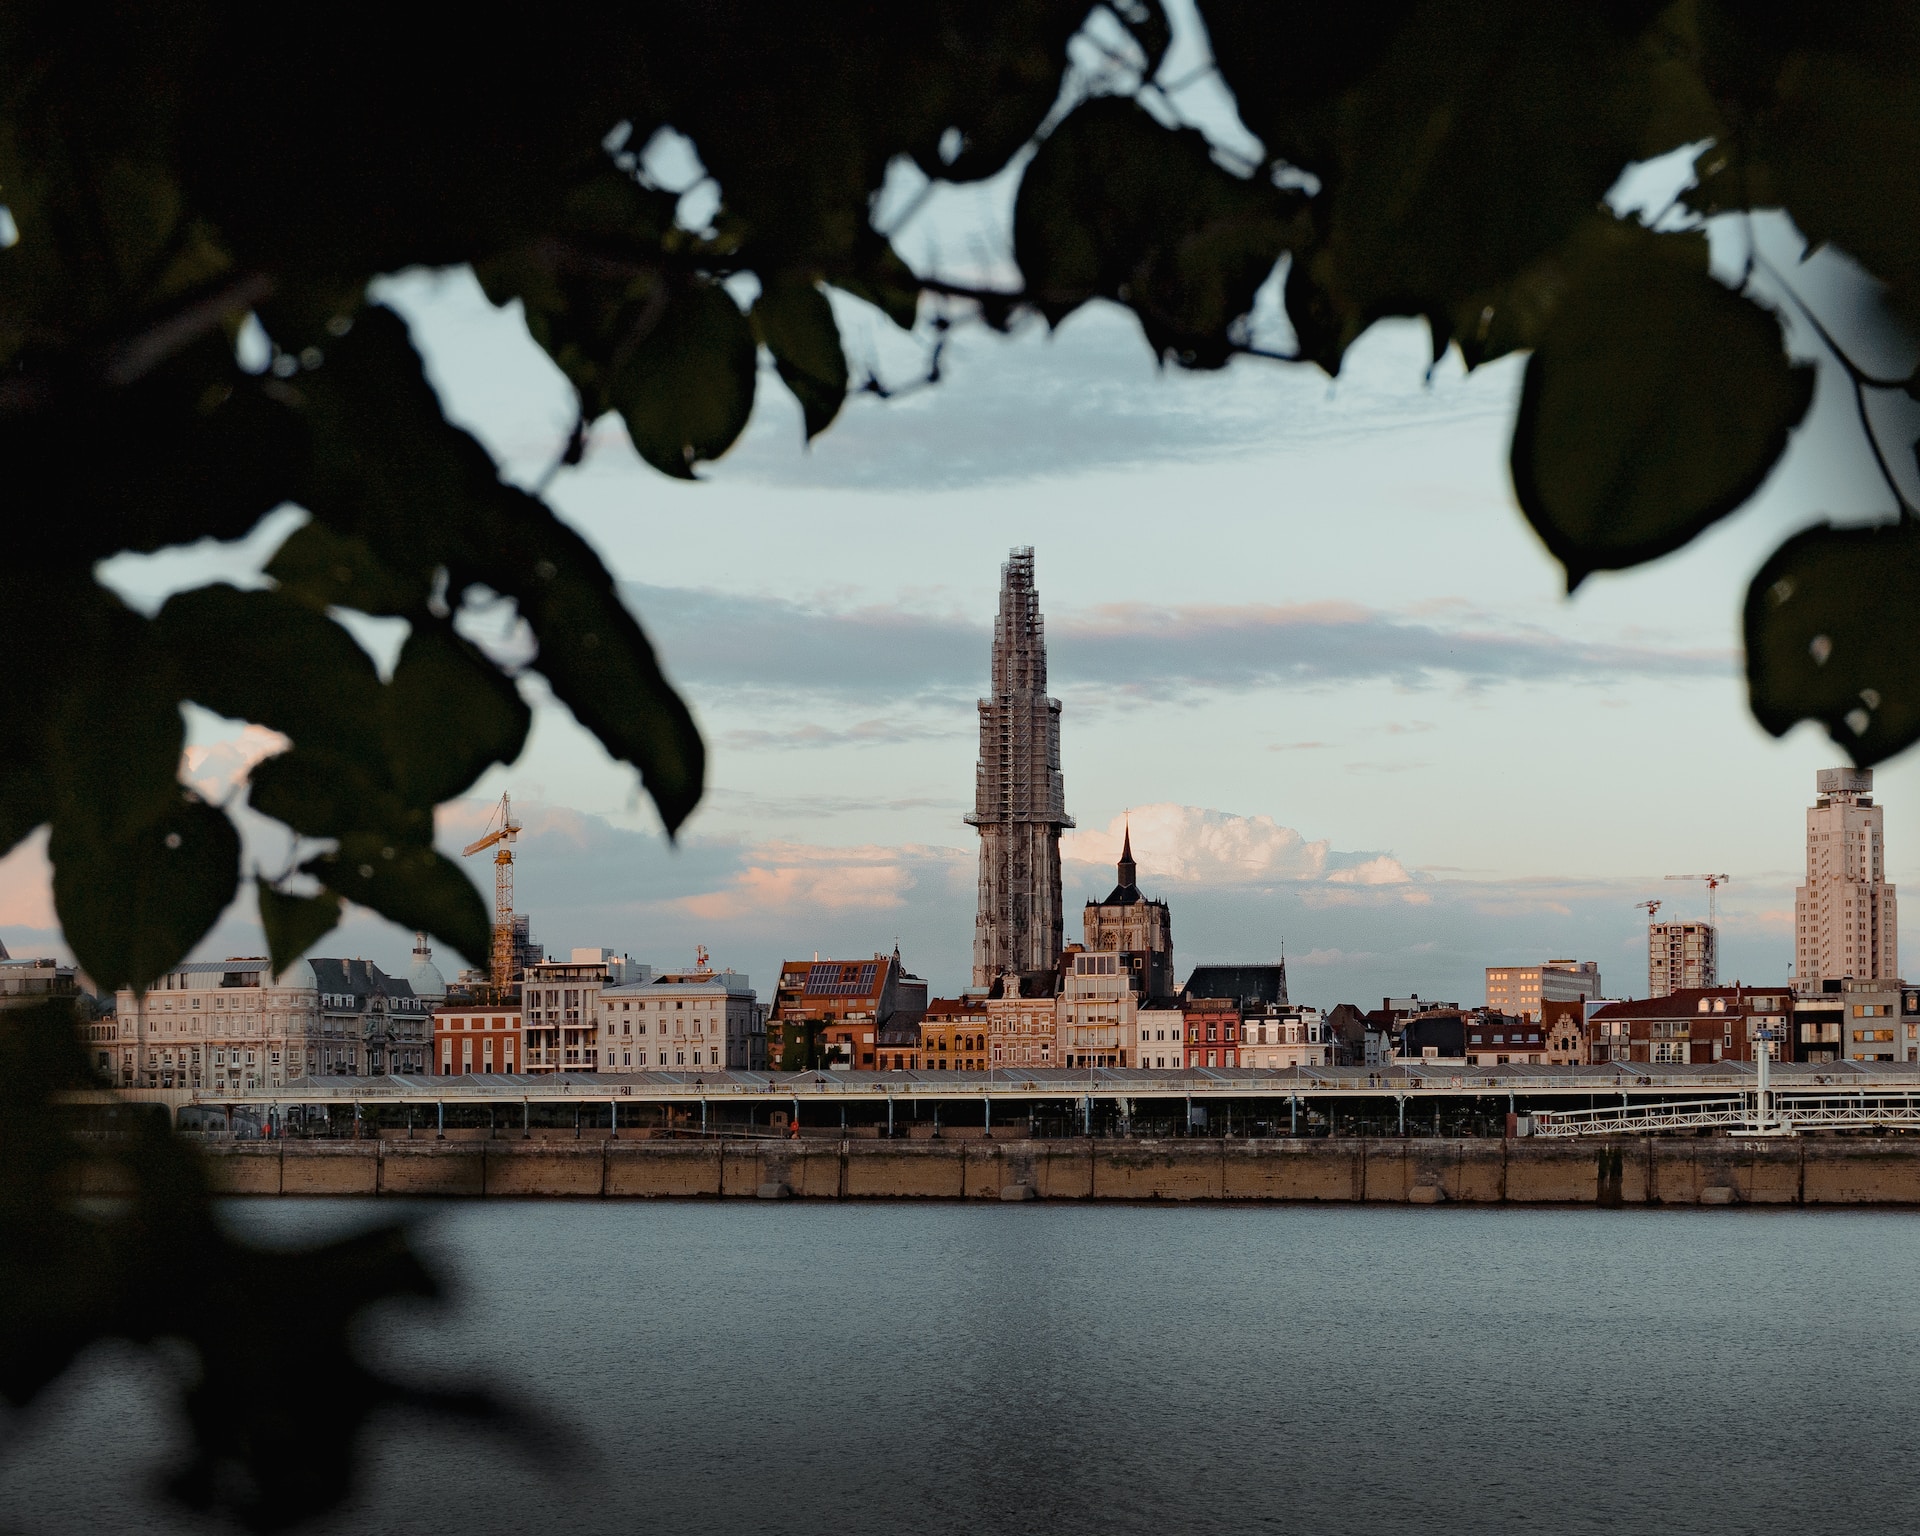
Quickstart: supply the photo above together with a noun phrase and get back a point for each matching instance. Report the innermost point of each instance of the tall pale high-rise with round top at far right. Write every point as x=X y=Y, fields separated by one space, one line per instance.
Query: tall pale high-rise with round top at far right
x=1844 y=917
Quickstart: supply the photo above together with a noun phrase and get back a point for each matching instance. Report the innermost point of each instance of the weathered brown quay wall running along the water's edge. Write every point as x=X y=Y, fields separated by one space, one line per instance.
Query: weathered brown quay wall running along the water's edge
x=1631 y=1172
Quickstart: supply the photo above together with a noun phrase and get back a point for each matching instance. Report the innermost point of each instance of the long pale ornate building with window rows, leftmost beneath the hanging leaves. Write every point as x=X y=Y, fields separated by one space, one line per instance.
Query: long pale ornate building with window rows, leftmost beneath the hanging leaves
x=222 y=1024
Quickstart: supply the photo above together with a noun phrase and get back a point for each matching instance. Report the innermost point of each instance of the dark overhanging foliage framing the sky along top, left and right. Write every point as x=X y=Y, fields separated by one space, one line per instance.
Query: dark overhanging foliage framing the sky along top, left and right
x=191 y=176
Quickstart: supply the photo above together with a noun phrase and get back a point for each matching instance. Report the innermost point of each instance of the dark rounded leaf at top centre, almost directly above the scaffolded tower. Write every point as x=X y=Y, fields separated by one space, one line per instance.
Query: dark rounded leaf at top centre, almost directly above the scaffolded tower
x=1118 y=206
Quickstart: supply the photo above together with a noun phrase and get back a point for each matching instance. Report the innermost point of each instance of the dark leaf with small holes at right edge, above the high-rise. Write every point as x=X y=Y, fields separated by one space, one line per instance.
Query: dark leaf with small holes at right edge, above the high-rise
x=1831 y=638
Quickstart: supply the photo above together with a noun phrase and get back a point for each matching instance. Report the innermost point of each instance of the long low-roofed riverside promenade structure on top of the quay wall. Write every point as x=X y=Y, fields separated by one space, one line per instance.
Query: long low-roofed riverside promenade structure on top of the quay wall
x=1403 y=1101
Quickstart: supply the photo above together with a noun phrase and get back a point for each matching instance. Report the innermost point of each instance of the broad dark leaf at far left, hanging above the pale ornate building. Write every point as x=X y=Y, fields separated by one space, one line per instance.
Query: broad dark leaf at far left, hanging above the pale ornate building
x=135 y=907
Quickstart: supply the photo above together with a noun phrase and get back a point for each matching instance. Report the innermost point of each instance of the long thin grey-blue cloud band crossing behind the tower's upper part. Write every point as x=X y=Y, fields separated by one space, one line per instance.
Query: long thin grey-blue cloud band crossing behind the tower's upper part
x=784 y=648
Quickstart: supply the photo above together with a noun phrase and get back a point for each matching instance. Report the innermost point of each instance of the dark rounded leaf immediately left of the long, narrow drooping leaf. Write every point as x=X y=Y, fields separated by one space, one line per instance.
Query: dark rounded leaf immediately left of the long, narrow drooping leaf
x=446 y=715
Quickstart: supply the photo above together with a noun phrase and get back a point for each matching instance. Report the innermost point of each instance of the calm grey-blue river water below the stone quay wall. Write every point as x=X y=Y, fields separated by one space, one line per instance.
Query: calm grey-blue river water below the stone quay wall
x=1109 y=1370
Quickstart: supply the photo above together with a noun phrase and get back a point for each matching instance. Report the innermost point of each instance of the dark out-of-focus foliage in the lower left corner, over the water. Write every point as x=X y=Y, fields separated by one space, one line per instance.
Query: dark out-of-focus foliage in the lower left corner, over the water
x=279 y=1395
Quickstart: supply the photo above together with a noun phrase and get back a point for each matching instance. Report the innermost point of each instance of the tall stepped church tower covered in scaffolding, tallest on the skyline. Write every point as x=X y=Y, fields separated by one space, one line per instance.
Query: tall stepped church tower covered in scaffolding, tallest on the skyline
x=1020 y=802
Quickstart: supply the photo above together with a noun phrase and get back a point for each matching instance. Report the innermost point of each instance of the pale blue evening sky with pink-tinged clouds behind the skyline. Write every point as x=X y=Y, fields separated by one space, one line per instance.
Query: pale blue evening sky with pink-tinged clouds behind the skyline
x=1305 y=642
